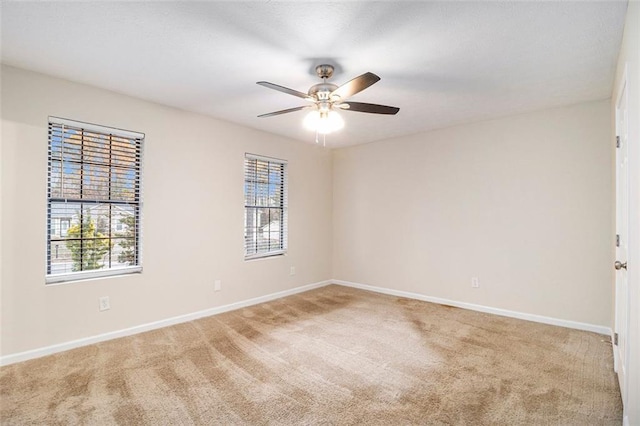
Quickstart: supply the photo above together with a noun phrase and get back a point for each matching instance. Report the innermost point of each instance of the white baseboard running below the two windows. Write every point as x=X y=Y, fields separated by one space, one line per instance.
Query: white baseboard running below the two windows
x=61 y=347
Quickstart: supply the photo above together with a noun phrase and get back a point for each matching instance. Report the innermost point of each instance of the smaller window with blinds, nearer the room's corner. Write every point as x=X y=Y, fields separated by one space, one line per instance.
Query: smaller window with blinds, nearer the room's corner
x=265 y=206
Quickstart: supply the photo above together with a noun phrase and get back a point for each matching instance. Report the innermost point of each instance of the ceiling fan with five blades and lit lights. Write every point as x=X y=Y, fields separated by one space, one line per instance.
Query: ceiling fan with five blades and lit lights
x=328 y=98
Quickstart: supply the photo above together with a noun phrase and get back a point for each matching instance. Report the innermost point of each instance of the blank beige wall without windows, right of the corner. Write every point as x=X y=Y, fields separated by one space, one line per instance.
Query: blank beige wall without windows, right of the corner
x=523 y=203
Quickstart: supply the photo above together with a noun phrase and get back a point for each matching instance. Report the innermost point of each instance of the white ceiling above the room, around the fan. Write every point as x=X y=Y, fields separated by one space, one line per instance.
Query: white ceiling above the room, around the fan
x=441 y=63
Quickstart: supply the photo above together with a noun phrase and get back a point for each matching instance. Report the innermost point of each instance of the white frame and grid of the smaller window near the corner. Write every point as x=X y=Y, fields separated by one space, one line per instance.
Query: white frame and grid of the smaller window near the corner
x=282 y=207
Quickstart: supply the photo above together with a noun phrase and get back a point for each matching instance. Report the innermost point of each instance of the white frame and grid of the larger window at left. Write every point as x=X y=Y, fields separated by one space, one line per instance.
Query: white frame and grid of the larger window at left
x=61 y=201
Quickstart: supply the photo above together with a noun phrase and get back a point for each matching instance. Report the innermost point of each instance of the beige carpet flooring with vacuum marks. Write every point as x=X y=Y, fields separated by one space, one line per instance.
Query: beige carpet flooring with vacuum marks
x=332 y=356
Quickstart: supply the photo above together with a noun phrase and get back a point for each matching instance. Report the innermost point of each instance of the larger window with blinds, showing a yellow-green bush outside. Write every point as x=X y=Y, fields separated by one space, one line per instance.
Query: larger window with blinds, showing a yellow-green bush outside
x=93 y=201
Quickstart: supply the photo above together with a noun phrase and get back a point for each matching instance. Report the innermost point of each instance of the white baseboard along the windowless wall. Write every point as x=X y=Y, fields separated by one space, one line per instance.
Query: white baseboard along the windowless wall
x=488 y=309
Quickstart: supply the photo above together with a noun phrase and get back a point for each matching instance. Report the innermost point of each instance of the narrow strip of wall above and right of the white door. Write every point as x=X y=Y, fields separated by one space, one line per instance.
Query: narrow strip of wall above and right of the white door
x=630 y=58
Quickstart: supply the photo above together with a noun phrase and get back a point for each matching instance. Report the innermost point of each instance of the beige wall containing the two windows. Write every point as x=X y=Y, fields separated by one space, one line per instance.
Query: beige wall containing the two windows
x=193 y=215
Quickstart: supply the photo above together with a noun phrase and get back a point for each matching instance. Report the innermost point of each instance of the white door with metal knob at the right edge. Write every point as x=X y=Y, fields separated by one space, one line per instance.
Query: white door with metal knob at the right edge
x=622 y=240
